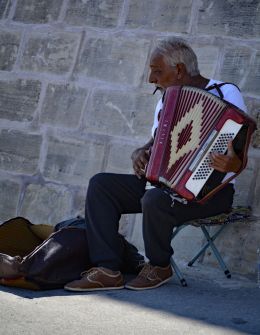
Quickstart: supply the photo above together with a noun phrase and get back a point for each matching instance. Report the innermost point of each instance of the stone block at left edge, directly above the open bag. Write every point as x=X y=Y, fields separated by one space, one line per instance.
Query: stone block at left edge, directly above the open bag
x=9 y=197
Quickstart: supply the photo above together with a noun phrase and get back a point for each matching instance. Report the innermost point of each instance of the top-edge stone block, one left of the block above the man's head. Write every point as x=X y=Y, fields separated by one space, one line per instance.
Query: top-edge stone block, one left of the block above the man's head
x=96 y=13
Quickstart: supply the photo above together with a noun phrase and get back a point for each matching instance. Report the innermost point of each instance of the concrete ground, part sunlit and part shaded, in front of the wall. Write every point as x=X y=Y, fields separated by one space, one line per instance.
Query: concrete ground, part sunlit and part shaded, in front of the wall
x=211 y=304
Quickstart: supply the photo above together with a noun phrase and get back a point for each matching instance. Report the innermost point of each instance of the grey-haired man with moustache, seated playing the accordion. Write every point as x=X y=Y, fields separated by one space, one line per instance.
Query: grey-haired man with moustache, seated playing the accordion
x=173 y=62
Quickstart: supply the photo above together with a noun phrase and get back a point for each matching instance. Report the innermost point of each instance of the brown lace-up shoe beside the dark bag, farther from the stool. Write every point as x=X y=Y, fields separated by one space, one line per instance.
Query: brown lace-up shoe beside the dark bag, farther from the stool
x=97 y=279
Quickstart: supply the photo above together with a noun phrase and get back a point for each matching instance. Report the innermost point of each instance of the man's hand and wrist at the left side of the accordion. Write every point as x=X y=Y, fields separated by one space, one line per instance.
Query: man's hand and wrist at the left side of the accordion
x=140 y=158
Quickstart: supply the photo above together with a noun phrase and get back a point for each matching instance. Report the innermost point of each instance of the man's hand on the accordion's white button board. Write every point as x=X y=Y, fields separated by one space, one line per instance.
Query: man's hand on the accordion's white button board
x=229 y=162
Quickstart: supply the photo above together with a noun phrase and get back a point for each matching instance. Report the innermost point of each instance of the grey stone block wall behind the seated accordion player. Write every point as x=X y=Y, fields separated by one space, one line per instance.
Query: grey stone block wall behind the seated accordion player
x=74 y=99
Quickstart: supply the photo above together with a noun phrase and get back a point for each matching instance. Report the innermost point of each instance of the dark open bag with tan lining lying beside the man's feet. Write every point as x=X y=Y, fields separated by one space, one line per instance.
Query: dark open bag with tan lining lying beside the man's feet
x=56 y=260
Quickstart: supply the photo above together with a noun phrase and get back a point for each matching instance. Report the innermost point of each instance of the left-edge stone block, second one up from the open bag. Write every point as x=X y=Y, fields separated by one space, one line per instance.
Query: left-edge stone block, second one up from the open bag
x=19 y=151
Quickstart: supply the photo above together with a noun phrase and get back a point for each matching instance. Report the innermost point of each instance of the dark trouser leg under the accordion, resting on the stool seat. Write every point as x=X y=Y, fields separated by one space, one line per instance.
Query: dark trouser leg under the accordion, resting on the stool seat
x=160 y=216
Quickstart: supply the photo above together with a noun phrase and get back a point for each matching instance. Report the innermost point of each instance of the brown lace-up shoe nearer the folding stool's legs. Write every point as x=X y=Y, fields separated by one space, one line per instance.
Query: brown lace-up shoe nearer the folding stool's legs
x=150 y=277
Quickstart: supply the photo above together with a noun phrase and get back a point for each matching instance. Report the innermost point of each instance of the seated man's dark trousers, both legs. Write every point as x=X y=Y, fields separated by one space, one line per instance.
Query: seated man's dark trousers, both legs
x=110 y=195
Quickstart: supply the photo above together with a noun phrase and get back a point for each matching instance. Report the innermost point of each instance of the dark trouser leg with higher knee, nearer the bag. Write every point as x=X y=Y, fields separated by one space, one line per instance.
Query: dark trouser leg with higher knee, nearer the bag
x=110 y=195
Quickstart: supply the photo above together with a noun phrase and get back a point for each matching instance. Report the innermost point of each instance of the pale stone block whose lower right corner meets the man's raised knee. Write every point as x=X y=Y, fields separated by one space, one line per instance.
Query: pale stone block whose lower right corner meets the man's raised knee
x=73 y=161
